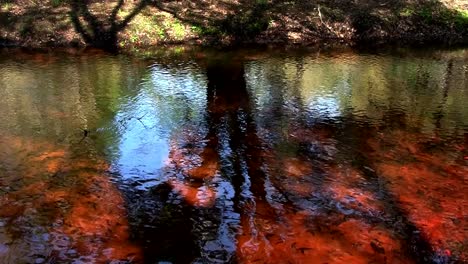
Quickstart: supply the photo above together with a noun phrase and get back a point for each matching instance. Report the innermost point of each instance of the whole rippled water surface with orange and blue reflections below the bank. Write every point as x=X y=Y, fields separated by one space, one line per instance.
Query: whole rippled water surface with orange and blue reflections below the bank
x=241 y=157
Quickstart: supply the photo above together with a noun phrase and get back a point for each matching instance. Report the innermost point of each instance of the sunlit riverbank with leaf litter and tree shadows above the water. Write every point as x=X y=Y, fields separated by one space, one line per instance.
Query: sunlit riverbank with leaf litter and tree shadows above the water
x=130 y=25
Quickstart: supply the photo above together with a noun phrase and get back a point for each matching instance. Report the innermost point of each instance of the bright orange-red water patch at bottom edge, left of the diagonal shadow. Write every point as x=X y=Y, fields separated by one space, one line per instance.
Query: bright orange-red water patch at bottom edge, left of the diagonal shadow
x=303 y=238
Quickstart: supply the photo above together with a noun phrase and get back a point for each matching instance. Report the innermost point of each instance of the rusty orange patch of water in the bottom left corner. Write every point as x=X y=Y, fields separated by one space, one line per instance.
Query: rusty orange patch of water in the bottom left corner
x=72 y=192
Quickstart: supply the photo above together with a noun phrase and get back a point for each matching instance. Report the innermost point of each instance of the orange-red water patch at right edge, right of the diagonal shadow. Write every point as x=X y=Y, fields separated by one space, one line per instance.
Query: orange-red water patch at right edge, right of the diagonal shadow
x=430 y=186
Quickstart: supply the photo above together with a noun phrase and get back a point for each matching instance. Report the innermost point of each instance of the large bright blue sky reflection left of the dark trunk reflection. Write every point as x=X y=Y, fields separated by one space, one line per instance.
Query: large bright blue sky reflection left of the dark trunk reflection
x=166 y=102
